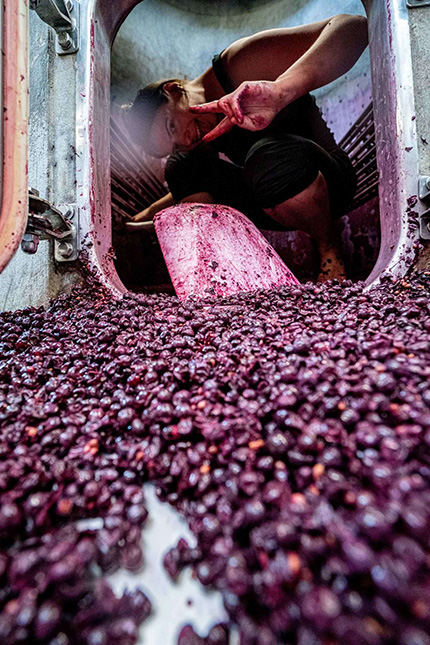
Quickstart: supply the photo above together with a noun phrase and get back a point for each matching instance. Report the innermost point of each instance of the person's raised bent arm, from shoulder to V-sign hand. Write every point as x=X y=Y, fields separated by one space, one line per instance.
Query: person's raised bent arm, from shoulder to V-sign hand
x=275 y=67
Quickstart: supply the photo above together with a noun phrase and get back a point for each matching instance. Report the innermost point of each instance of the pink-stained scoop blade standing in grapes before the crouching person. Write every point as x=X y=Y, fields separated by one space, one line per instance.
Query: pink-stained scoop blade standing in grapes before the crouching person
x=215 y=250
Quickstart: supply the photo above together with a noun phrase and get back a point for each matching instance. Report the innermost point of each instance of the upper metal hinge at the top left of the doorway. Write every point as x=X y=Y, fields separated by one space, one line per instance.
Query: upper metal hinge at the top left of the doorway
x=63 y=17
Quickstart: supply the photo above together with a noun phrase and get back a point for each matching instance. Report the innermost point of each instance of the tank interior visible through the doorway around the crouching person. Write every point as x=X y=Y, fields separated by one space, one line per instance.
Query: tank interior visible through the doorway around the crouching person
x=137 y=179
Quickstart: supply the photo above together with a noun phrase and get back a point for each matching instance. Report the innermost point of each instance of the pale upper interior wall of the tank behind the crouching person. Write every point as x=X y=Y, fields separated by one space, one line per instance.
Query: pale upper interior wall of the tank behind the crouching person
x=170 y=38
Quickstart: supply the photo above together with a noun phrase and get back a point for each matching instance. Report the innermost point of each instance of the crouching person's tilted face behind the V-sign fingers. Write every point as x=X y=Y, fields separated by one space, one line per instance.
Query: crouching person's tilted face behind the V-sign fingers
x=175 y=128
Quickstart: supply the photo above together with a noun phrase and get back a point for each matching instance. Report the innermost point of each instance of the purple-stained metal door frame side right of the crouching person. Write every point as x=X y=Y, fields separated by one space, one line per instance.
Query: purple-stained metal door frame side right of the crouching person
x=395 y=133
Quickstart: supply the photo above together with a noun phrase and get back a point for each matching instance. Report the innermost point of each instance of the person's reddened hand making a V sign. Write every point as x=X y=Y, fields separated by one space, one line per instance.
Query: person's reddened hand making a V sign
x=252 y=106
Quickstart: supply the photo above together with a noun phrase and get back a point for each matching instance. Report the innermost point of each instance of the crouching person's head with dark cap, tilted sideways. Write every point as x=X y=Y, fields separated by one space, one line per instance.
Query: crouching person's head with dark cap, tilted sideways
x=159 y=119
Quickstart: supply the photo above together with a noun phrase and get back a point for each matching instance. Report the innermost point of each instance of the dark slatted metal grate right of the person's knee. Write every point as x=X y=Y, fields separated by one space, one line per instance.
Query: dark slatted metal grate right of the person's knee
x=359 y=143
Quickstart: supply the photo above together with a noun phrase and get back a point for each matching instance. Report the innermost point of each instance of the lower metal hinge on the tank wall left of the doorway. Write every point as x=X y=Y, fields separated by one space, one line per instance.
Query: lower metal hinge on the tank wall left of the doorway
x=46 y=221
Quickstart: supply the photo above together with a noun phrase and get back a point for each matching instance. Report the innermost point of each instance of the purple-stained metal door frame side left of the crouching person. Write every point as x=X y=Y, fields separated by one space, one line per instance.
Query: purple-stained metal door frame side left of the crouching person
x=100 y=20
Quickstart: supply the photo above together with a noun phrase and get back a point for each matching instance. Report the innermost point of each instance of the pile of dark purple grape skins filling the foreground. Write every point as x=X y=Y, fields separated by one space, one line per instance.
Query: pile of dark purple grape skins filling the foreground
x=291 y=428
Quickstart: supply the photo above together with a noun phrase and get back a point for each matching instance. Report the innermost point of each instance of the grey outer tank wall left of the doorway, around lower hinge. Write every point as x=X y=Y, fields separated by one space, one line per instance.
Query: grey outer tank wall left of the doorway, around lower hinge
x=31 y=280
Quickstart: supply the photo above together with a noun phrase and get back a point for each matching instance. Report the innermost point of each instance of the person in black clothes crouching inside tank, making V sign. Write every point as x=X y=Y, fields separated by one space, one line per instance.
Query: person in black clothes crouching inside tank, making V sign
x=282 y=167
